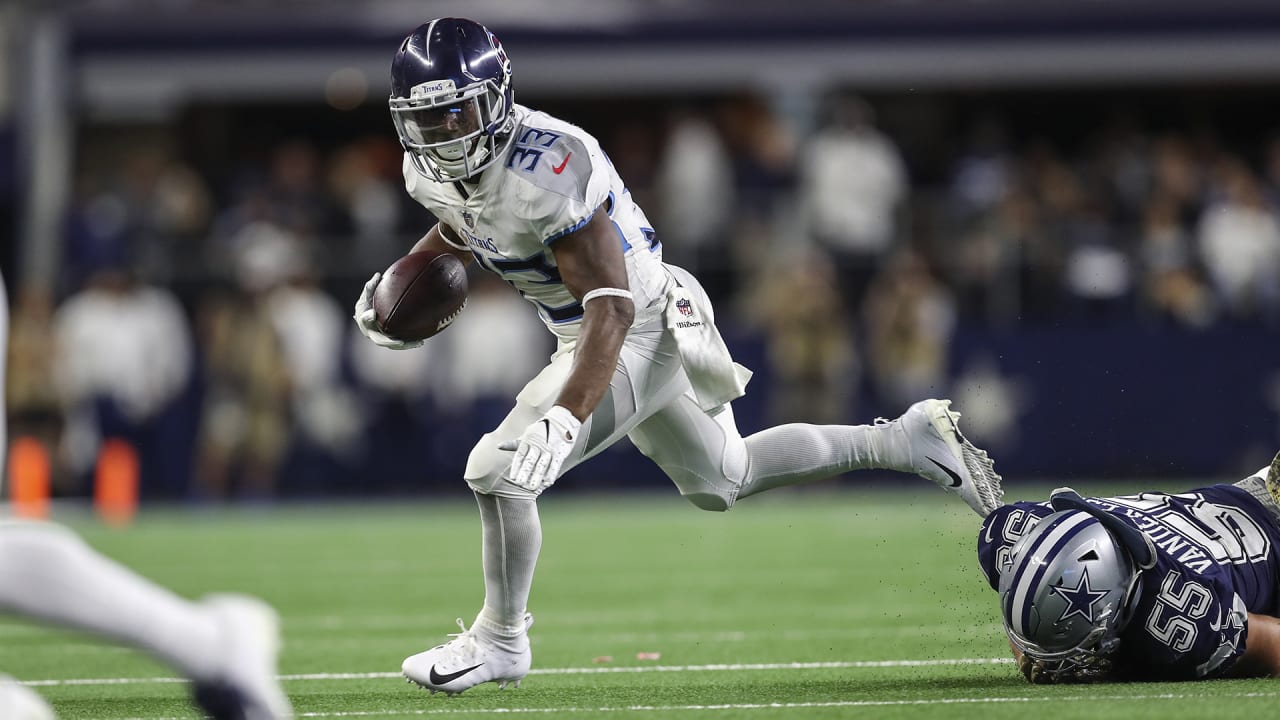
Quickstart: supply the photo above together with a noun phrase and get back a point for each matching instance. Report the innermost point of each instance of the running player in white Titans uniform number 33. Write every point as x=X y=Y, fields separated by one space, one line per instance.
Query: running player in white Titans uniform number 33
x=536 y=200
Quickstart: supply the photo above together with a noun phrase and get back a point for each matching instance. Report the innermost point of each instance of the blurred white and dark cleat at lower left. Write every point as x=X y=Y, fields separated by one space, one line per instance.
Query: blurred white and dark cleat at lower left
x=245 y=687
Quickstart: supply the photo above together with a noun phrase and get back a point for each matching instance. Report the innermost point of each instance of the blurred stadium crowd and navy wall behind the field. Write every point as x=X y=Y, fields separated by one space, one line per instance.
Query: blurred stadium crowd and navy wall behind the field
x=1060 y=215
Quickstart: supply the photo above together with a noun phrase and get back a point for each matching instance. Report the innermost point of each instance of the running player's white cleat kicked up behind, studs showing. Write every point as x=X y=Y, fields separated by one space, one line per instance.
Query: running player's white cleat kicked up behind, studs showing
x=940 y=453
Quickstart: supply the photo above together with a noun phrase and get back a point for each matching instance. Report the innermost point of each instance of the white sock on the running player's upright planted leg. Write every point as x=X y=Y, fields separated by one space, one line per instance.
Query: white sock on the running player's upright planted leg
x=513 y=539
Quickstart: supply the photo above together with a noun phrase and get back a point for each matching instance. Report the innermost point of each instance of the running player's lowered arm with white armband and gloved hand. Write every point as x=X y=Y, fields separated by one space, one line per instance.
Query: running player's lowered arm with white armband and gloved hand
x=593 y=270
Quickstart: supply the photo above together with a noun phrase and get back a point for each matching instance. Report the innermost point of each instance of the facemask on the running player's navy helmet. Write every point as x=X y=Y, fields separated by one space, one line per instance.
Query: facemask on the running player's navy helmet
x=454 y=135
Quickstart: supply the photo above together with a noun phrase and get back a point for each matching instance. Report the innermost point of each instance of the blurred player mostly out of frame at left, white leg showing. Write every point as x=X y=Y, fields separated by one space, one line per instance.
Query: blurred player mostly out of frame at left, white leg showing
x=227 y=644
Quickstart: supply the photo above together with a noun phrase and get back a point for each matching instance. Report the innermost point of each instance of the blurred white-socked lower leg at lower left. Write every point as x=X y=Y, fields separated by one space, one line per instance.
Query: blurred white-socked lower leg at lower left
x=48 y=573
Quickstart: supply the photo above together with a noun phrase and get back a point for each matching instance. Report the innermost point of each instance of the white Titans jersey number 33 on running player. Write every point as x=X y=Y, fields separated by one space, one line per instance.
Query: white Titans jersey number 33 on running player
x=548 y=185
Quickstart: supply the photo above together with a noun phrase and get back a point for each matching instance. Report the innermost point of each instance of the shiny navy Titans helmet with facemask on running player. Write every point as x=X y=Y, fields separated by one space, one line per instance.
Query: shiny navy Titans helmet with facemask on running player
x=451 y=99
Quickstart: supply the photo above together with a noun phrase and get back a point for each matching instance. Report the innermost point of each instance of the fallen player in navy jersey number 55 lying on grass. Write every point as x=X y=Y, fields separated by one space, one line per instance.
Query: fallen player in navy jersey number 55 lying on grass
x=1145 y=587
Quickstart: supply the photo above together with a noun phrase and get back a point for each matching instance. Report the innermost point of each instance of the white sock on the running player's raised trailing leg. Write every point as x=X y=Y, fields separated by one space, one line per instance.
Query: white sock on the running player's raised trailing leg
x=796 y=454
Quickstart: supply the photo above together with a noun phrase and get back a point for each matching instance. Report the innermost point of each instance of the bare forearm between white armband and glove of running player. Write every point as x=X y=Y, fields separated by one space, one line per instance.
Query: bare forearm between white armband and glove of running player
x=605 y=326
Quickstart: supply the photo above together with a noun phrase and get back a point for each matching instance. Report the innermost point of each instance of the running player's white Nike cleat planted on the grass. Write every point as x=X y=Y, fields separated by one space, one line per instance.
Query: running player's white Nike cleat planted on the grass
x=470 y=659
